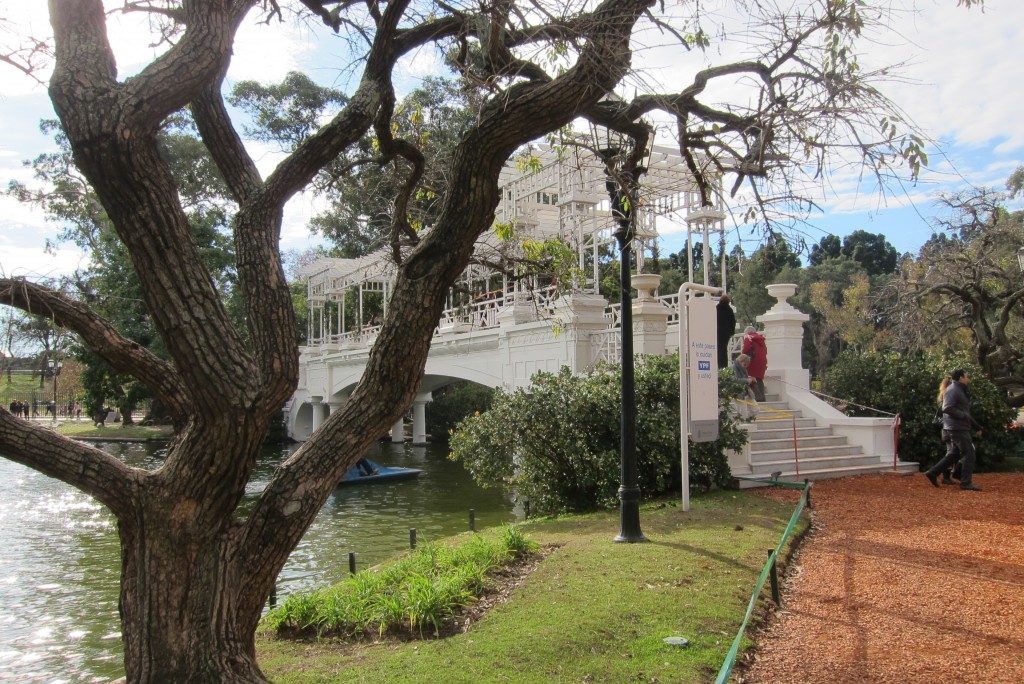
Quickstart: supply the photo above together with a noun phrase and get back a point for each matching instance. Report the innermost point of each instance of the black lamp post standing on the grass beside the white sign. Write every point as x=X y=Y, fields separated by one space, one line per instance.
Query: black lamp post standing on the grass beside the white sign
x=622 y=176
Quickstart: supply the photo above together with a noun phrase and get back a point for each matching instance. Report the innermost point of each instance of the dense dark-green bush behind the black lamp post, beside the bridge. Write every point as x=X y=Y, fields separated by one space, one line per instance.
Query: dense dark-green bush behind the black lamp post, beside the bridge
x=558 y=443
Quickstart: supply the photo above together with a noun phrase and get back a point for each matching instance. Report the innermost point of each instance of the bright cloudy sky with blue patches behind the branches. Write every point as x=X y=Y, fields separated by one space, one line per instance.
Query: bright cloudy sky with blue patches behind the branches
x=960 y=84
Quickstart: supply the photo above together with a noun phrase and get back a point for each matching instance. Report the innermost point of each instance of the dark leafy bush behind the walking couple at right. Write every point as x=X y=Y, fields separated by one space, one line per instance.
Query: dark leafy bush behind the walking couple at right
x=909 y=386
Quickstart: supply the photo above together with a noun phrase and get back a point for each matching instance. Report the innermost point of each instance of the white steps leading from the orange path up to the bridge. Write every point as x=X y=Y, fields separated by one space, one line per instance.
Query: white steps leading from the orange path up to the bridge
x=783 y=443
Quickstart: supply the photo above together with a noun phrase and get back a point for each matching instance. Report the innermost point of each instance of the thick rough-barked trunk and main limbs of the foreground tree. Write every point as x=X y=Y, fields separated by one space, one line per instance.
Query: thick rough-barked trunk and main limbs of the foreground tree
x=195 y=573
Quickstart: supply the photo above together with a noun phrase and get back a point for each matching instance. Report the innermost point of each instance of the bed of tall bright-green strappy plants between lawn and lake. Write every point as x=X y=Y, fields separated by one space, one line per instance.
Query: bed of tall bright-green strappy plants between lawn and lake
x=422 y=590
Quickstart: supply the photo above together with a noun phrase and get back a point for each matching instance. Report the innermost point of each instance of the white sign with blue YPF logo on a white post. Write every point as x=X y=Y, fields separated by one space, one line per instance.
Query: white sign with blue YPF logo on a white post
x=698 y=373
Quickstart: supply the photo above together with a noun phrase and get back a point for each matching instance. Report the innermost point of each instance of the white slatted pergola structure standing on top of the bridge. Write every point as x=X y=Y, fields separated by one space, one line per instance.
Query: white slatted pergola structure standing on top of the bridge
x=558 y=195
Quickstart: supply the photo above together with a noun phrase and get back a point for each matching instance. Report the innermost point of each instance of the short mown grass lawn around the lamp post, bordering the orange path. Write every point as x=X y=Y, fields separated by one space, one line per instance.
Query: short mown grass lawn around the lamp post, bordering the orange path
x=591 y=612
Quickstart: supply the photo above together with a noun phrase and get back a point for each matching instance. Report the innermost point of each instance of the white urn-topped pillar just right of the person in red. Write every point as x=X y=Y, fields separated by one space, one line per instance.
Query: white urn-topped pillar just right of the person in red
x=784 y=331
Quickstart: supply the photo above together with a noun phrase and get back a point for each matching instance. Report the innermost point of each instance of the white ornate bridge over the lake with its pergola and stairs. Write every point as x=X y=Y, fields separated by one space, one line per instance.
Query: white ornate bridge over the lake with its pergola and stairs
x=498 y=330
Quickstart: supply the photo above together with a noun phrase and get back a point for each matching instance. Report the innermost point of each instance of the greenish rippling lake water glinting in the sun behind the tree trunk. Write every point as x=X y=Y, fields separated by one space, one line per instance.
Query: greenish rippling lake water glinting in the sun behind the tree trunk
x=60 y=562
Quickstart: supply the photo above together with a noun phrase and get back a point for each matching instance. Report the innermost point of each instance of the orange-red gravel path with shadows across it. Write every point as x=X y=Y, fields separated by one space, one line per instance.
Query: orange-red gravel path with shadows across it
x=901 y=582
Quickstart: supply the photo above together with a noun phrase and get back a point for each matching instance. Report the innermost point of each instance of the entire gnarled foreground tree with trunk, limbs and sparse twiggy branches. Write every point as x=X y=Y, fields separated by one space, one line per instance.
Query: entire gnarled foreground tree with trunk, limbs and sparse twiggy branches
x=197 y=570
